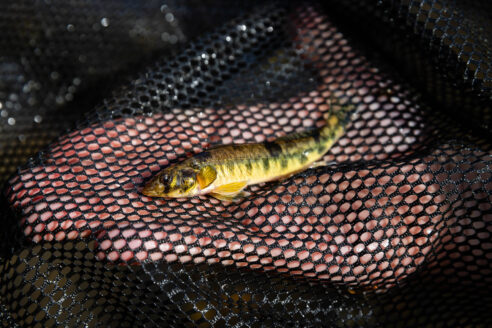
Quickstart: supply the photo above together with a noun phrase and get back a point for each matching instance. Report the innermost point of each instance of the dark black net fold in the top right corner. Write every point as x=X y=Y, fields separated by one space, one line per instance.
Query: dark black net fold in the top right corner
x=442 y=47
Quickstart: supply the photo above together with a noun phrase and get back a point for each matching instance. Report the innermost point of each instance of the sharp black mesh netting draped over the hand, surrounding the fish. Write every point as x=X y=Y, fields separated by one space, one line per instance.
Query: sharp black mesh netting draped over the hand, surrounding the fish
x=405 y=211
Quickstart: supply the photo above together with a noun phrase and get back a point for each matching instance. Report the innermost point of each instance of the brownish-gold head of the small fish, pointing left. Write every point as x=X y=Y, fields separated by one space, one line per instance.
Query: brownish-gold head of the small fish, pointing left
x=173 y=182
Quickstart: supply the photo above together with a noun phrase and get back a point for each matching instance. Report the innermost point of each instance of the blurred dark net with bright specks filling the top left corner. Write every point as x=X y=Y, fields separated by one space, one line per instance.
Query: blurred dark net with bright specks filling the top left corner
x=59 y=58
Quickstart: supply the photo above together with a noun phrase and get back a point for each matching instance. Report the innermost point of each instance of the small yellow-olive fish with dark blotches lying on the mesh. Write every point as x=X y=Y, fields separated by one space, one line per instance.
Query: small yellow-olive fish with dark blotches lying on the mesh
x=224 y=171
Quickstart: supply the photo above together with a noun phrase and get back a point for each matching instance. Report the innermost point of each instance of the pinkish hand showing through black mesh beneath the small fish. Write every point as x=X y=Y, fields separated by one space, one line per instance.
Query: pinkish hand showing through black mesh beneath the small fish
x=372 y=225
